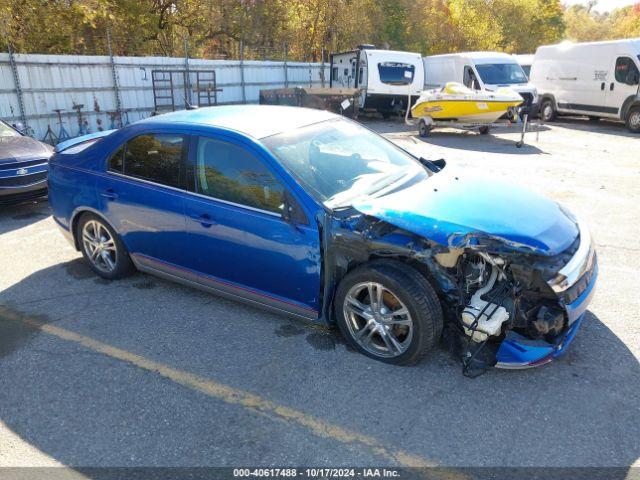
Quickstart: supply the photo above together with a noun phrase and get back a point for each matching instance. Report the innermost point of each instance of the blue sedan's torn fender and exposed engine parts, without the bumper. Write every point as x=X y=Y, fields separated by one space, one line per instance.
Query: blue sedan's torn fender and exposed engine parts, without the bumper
x=486 y=290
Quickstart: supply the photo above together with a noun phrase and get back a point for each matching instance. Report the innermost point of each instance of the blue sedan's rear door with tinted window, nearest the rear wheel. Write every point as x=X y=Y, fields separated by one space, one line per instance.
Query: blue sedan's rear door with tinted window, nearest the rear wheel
x=142 y=195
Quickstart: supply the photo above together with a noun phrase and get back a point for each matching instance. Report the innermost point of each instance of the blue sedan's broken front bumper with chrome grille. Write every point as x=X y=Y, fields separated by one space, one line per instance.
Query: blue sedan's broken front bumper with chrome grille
x=517 y=351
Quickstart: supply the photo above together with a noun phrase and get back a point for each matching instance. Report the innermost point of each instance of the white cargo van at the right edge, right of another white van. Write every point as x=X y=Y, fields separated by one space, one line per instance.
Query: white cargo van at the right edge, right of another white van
x=597 y=79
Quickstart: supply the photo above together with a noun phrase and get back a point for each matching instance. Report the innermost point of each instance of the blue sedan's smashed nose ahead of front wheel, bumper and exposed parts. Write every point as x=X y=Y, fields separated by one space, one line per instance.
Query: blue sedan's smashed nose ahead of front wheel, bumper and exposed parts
x=515 y=310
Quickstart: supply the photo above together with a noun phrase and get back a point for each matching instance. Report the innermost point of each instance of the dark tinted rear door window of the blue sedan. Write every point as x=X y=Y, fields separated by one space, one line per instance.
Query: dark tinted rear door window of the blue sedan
x=153 y=157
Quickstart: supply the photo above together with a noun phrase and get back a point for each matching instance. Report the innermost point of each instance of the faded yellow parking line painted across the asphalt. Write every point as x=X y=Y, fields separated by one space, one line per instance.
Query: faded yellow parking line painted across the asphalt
x=233 y=396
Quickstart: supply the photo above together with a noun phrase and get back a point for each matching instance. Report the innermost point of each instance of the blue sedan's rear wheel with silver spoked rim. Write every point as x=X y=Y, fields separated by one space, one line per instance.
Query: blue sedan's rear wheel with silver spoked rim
x=102 y=248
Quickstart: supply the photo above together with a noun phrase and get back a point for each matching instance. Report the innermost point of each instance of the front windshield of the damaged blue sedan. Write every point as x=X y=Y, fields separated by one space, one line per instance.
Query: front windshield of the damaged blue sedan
x=338 y=161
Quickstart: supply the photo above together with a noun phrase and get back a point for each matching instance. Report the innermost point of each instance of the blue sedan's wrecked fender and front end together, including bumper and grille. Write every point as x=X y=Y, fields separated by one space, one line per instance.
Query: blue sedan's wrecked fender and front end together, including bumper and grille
x=504 y=306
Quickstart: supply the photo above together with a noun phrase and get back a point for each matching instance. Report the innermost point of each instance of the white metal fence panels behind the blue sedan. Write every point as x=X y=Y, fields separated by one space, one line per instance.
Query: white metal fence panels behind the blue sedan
x=49 y=82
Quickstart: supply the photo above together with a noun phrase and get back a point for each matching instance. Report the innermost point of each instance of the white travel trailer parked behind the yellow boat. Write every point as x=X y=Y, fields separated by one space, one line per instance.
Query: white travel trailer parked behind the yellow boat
x=385 y=77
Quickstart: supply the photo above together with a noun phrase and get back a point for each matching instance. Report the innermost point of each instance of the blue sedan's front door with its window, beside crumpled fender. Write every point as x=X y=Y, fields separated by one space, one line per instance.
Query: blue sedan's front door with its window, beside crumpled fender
x=238 y=238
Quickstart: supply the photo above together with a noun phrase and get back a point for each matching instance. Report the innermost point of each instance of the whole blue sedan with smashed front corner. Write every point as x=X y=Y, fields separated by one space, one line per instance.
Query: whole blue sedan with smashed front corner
x=307 y=213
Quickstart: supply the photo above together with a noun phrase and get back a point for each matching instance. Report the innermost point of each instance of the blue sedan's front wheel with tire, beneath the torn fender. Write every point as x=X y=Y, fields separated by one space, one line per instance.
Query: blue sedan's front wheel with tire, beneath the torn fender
x=389 y=312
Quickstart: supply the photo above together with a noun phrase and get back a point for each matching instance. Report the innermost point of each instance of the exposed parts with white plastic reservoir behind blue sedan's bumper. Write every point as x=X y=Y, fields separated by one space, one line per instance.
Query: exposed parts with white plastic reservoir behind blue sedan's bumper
x=495 y=295
